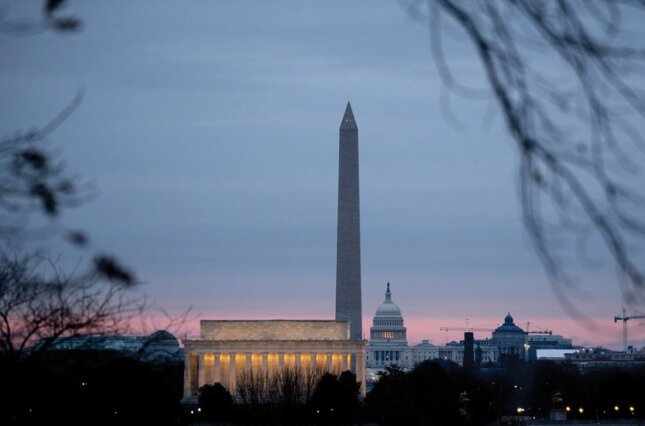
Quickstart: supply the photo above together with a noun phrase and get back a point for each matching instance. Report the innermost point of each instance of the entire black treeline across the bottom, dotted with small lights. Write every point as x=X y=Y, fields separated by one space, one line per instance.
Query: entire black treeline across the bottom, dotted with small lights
x=86 y=387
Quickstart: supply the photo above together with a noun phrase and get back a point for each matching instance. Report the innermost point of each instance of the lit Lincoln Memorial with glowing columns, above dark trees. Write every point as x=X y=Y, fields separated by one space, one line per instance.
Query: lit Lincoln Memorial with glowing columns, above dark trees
x=227 y=350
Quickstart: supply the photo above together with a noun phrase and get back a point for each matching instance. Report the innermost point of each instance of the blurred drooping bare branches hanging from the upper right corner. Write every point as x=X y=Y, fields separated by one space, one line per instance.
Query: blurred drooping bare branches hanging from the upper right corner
x=565 y=75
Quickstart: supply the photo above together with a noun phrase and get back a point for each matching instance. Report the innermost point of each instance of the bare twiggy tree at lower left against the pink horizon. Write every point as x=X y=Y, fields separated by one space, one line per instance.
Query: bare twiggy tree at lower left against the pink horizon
x=40 y=305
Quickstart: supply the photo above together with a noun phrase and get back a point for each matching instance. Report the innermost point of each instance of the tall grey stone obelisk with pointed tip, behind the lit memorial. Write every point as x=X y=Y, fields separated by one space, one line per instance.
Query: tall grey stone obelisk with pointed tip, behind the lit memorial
x=348 y=250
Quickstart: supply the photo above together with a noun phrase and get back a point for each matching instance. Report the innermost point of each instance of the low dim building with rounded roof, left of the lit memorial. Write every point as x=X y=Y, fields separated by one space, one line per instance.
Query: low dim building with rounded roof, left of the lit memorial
x=159 y=346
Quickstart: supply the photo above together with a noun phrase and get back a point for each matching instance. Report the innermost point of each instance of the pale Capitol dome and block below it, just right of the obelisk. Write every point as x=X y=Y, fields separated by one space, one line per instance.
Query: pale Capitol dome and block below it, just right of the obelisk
x=388 y=342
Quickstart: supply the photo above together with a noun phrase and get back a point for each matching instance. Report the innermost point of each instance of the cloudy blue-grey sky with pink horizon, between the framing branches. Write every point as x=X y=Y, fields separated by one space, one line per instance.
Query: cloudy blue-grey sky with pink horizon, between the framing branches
x=210 y=134
